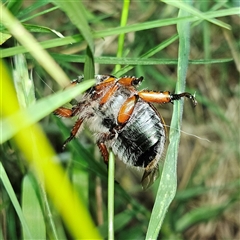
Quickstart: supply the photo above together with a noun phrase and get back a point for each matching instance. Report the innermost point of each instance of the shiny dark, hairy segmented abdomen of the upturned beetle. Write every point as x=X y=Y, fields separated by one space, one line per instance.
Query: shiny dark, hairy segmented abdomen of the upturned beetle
x=142 y=139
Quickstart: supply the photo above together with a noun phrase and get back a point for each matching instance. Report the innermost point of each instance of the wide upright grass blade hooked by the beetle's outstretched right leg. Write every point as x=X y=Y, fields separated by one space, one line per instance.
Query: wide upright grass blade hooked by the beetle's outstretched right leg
x=168 y=183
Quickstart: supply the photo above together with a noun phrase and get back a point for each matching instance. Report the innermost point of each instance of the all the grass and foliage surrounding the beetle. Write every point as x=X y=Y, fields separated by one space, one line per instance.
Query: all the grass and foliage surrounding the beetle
x=155 y=40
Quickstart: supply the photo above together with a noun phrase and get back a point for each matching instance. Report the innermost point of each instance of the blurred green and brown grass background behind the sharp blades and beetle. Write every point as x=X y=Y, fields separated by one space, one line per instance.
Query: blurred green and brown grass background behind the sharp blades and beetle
x=206 y=205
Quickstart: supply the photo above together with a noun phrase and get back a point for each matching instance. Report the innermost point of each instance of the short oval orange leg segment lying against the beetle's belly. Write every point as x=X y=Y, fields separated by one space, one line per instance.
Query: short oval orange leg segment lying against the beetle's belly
x=126 y=109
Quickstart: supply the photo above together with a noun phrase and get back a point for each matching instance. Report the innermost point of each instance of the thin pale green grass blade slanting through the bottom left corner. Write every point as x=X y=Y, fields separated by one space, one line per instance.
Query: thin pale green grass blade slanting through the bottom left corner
x=6 y=183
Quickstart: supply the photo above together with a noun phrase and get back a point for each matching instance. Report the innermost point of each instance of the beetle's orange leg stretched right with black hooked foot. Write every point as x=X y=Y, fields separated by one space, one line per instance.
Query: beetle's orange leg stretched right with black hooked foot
x=164 y=97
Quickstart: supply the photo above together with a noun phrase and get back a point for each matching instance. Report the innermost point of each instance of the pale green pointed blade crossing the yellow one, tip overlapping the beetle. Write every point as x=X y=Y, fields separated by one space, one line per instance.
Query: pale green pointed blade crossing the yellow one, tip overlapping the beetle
x=39 y=110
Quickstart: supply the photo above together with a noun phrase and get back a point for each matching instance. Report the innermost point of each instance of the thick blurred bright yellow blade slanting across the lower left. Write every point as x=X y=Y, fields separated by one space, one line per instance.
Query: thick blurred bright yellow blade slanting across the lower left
x=32 y=142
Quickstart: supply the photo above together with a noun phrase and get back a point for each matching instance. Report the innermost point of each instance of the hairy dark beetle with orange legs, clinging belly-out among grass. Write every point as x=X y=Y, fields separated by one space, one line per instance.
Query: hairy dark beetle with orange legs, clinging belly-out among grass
x=124 y=120
